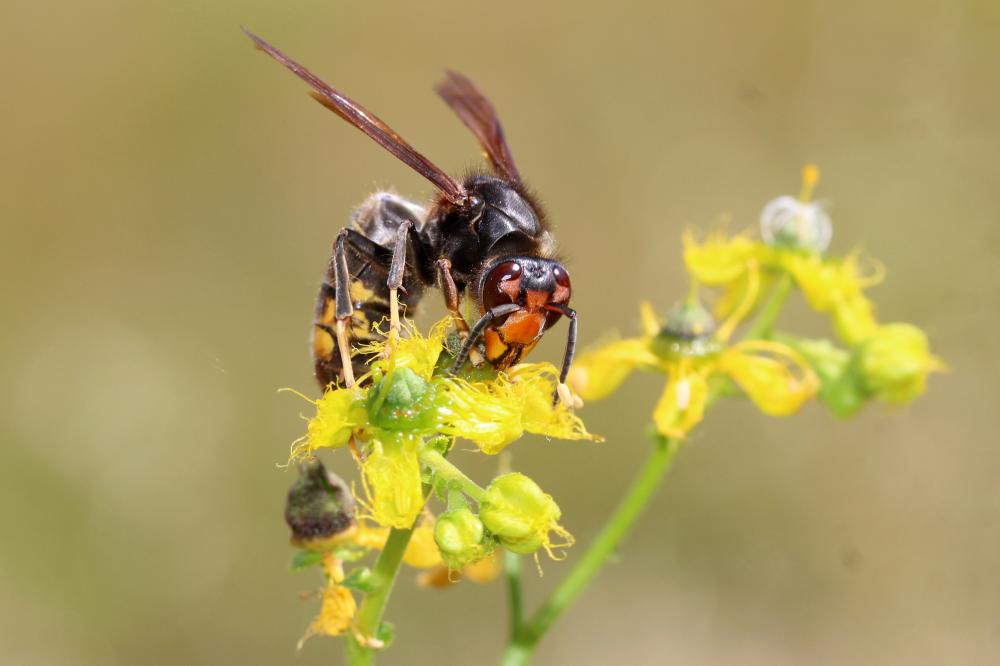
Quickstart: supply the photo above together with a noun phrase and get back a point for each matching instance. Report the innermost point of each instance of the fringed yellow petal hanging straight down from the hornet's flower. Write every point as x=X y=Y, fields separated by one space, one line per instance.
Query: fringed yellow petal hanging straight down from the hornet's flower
x=391 y=474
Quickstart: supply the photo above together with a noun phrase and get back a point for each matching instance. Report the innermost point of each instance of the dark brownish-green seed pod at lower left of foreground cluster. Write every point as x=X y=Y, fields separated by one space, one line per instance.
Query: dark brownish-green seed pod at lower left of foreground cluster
x=320 y=507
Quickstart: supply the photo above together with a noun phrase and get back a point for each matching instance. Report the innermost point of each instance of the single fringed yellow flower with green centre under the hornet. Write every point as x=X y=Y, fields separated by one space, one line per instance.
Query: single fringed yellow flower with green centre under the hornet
x=407 y=398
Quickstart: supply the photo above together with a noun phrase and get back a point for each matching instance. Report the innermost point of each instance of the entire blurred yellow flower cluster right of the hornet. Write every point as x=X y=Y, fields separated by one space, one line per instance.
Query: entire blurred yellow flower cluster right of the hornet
x=778 y=374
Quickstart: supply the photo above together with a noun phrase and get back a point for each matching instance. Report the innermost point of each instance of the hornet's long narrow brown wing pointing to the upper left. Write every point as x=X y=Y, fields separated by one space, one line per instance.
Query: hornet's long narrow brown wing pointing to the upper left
x=369 y=123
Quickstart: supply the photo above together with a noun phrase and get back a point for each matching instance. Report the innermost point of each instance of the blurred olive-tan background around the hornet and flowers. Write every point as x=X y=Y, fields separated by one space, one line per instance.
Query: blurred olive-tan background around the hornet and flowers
x=169 y=200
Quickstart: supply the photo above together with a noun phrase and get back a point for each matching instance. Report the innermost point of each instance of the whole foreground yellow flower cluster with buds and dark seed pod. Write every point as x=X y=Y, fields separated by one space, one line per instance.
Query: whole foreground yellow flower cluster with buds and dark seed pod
x=399 y=420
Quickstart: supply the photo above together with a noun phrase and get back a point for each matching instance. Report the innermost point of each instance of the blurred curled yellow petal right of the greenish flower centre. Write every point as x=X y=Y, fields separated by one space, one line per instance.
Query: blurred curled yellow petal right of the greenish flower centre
x=774 y=376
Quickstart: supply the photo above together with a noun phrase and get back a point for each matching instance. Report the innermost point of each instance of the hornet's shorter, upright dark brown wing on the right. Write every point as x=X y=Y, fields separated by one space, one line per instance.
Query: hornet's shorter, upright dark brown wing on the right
x=478 y=114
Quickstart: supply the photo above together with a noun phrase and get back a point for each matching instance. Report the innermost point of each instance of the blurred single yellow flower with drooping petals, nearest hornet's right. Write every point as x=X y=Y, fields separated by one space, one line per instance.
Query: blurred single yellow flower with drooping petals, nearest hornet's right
x=690 y=353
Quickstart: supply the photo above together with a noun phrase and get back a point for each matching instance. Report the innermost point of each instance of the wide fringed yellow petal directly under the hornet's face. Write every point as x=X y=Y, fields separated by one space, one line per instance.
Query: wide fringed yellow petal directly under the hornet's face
x=494 y=413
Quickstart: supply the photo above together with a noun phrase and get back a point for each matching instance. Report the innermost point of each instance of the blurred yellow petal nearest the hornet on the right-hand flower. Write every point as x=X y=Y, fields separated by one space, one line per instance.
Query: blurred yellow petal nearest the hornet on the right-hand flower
x=596 y=373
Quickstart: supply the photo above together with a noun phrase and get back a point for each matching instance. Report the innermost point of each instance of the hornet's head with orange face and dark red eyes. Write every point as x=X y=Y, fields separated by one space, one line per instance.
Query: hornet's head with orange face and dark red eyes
x=541 y=287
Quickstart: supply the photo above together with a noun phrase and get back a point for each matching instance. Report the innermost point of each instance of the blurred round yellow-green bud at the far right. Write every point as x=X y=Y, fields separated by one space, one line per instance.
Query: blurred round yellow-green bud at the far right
x=894 y=363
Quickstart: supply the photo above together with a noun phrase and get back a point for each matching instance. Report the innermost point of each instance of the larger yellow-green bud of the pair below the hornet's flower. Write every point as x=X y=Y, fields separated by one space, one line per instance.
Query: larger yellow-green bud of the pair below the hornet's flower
x=520 y=515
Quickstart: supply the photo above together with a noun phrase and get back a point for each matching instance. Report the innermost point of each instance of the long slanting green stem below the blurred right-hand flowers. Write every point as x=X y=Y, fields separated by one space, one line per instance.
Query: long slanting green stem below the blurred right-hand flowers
x=520 y=650
